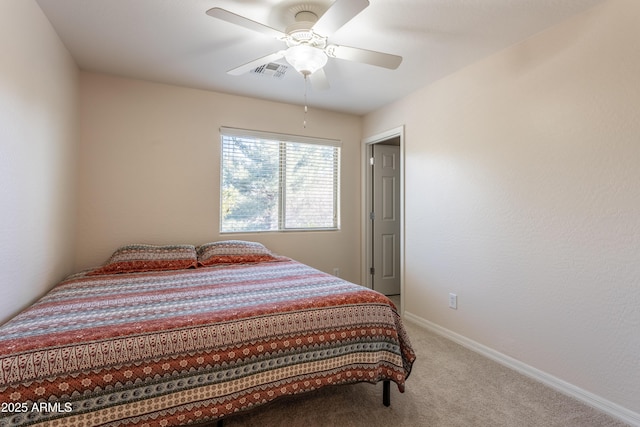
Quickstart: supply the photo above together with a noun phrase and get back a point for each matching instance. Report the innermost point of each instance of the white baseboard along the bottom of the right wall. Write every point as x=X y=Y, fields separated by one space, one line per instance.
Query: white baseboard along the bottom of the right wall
x=562 y=386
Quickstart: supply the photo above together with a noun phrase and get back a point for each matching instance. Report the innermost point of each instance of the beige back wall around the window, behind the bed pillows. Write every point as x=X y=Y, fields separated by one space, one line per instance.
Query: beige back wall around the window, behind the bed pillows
x=150 y=169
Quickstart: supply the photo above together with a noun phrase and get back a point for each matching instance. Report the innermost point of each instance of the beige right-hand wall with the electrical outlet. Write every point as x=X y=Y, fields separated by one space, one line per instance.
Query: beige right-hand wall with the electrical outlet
x=523 y=198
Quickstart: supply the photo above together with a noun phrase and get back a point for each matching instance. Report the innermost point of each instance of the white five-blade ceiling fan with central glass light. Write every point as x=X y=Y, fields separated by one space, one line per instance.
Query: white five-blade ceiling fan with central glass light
x=308 y=49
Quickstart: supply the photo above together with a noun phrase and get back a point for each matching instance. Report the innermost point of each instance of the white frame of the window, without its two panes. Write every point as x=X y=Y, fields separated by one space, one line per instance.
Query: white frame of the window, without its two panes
x=282 y=139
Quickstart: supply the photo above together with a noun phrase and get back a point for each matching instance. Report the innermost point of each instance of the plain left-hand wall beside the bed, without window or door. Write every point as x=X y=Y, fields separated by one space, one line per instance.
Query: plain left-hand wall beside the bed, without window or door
x=38 y=127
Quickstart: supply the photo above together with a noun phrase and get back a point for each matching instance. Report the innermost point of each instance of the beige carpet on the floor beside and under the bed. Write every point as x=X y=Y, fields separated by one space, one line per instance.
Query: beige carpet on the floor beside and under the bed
x=449 y=386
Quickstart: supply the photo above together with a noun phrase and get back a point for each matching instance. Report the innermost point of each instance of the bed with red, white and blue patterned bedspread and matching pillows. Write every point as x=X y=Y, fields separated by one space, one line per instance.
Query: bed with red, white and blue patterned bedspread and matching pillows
x=165 y=336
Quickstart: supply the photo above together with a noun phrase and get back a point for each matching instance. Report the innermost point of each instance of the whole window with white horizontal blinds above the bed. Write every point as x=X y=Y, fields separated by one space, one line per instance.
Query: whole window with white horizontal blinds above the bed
x=274 y=182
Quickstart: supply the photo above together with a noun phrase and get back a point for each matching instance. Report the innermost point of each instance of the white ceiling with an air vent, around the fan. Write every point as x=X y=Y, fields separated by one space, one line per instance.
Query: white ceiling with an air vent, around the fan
x=175 y=42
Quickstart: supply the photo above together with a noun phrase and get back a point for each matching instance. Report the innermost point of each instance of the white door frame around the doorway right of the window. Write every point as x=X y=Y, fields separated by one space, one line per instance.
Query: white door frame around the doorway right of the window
x=367 y=258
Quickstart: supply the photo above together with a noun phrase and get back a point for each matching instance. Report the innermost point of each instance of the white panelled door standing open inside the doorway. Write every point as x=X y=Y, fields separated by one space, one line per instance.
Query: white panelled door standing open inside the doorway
x=385 y=218
